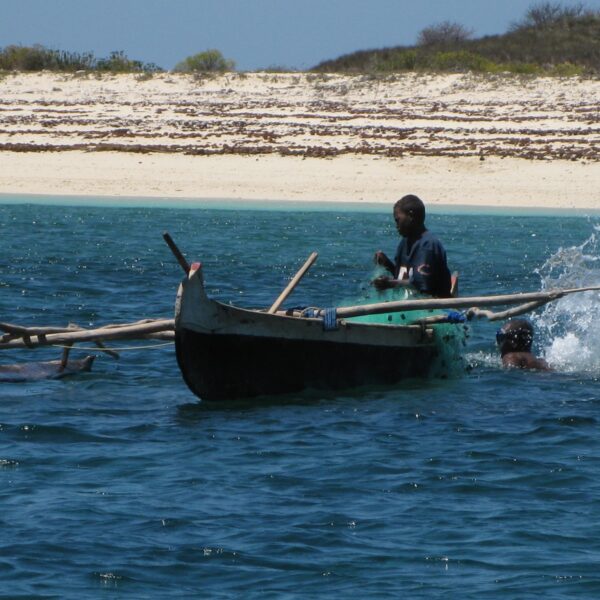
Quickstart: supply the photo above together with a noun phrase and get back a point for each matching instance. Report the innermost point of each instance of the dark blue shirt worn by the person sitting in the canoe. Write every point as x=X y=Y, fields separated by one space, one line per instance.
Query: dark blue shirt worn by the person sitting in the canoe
x=422 y=261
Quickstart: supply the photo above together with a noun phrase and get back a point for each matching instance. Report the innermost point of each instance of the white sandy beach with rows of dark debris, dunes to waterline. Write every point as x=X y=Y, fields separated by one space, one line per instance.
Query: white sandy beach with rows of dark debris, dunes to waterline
x=452 y=139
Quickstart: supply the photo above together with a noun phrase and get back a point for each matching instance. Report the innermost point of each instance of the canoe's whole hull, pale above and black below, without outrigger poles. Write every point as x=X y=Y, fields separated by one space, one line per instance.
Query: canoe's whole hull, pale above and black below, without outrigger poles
x=225 y=352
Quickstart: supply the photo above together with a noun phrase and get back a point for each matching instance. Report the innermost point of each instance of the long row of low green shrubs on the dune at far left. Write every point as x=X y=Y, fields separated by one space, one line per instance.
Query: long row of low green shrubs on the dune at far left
x=40 y=58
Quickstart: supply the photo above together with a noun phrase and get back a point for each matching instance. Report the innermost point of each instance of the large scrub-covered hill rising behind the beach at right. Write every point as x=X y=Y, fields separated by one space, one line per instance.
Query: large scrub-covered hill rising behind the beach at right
x=550 y=39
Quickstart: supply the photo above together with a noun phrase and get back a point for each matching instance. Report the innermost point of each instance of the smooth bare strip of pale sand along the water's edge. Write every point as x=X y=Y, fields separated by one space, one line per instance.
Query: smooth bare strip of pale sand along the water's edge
x=441 y=182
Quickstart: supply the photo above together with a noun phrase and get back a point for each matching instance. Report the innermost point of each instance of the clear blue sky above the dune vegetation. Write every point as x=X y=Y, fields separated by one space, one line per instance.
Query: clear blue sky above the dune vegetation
x=254 y=33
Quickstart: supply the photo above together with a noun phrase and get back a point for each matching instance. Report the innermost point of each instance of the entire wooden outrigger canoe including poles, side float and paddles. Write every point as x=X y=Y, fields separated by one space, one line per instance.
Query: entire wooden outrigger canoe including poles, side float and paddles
x=226 y=352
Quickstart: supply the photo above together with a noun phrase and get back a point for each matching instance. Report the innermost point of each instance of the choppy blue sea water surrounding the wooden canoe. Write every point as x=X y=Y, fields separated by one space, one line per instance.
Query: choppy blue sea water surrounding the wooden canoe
x=120 y=483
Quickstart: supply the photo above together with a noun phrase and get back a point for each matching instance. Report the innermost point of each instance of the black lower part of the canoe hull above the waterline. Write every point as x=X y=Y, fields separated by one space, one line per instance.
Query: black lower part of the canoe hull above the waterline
x=223 y=367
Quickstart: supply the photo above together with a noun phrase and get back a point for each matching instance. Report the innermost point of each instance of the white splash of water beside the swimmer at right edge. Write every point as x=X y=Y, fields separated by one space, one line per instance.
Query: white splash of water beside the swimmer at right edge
x=569 y=329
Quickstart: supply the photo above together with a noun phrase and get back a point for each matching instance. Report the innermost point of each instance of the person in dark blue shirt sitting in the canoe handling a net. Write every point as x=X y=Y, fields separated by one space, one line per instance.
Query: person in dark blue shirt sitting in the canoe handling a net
x=420 y=260
